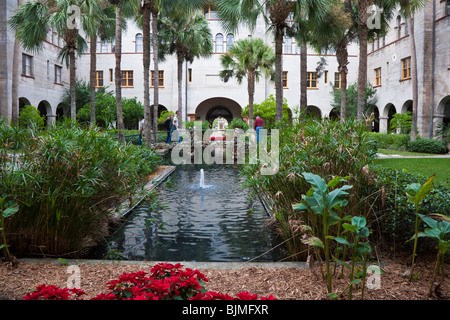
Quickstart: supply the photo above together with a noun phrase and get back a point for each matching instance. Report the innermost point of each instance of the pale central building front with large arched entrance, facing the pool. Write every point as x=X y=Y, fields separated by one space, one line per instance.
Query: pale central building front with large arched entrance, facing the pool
x=205 y=95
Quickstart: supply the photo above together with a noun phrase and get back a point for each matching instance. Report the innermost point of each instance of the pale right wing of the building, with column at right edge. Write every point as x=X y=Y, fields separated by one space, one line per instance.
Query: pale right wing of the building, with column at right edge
x=389 y=68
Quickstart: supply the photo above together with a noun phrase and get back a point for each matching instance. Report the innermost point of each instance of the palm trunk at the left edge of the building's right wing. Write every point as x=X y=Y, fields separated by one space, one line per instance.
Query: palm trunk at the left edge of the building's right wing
x=362 y=70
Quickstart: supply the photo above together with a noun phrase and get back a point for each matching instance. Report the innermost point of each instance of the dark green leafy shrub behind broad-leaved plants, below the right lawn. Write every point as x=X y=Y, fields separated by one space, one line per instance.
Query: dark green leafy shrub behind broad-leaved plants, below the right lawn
x=395 y=216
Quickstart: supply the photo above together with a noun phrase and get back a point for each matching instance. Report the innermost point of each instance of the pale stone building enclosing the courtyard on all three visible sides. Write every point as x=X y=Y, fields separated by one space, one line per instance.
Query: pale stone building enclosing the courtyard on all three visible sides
x=43 y=79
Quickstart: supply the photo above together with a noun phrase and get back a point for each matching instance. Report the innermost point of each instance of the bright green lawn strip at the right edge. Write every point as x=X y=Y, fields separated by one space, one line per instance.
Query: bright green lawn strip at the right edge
x=426 y=167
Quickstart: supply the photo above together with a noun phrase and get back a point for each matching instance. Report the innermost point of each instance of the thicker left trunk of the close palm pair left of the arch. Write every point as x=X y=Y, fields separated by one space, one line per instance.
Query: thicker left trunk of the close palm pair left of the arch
x=146 y=62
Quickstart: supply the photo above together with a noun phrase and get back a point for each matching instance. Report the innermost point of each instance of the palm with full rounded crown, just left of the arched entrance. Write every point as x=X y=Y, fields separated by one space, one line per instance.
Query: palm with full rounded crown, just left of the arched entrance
x=186 y=34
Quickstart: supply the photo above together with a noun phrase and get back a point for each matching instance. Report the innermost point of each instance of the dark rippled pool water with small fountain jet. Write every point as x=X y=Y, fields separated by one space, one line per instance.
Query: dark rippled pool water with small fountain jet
x=218 y=222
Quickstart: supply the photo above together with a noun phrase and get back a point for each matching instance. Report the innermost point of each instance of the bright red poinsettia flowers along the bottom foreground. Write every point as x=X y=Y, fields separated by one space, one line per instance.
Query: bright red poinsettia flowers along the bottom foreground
x=164 y=282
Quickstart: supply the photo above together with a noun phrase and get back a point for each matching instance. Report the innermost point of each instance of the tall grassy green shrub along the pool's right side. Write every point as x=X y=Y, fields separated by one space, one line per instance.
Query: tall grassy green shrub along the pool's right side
x=327 y=148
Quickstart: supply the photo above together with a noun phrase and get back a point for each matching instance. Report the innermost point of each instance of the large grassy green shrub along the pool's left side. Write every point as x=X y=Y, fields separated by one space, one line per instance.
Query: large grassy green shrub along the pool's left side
x=66 y=181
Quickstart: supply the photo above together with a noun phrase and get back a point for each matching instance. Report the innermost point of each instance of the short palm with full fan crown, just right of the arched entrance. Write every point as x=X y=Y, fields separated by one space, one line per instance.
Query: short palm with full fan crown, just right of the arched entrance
x=248 y=58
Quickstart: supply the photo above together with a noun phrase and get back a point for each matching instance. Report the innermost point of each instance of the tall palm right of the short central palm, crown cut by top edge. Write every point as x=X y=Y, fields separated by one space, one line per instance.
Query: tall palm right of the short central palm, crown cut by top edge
x=275 y=13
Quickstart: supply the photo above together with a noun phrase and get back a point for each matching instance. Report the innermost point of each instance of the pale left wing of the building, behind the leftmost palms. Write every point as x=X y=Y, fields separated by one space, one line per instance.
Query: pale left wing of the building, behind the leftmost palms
x=42 y=78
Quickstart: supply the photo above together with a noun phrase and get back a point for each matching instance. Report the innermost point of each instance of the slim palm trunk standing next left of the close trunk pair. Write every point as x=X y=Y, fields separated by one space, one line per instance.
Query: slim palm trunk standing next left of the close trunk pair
x=118 y=73
